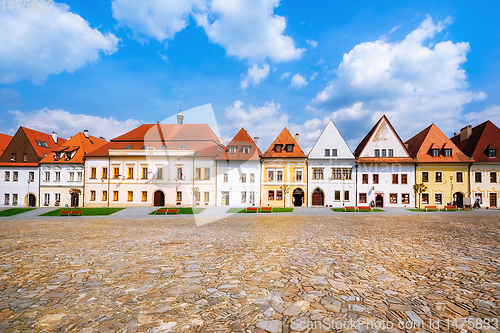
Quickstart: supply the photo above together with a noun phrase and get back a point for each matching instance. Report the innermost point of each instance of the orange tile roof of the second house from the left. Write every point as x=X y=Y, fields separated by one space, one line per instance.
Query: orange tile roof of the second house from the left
x=80 y=143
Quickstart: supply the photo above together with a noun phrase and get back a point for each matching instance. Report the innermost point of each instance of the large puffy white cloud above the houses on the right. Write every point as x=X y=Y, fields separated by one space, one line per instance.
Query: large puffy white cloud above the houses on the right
x=405 y=80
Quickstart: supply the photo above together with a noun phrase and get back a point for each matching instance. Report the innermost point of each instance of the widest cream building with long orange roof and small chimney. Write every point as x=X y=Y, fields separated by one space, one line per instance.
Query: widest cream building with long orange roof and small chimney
x=155 y=165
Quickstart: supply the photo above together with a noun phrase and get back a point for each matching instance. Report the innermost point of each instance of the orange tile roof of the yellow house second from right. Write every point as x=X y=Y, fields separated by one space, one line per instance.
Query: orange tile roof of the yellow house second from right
x=432 y=137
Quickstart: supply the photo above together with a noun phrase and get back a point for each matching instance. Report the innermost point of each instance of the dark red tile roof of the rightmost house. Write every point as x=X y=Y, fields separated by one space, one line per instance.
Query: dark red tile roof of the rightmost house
x=485 y=135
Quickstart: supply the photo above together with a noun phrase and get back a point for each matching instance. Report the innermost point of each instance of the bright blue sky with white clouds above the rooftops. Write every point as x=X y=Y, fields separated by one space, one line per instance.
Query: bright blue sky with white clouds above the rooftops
x=108 y=66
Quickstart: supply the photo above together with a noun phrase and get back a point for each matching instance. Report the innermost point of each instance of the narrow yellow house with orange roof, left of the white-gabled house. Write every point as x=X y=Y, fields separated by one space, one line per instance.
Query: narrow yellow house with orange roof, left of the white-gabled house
x=284 y=173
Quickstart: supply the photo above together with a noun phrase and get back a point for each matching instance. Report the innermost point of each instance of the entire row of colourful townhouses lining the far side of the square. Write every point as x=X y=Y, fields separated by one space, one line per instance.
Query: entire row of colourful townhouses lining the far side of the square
x=187 y=165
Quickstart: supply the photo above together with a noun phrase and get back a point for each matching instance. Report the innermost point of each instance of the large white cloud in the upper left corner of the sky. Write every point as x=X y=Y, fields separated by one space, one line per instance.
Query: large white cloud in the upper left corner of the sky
x=36 y=44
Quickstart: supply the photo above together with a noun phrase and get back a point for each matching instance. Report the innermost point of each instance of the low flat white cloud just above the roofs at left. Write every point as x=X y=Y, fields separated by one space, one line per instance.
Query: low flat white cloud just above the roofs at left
x=68 y=124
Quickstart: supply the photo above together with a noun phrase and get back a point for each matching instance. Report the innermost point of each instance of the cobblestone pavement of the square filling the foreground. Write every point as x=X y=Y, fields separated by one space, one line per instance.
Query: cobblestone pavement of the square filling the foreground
x=251 y=274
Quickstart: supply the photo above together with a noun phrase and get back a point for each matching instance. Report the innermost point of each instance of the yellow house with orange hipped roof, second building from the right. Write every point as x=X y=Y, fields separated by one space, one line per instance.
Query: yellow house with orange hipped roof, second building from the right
x=441 y=166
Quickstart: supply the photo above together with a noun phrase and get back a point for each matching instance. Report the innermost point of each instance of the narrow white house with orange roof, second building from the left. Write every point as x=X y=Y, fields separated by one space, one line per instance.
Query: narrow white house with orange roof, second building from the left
x=63 y=170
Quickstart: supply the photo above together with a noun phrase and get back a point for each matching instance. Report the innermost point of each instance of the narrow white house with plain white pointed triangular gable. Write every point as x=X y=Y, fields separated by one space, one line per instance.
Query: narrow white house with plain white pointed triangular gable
x=331 y=171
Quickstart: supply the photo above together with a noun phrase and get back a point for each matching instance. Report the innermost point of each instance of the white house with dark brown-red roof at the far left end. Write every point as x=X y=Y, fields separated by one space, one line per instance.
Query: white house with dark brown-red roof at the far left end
x=19 y=178
